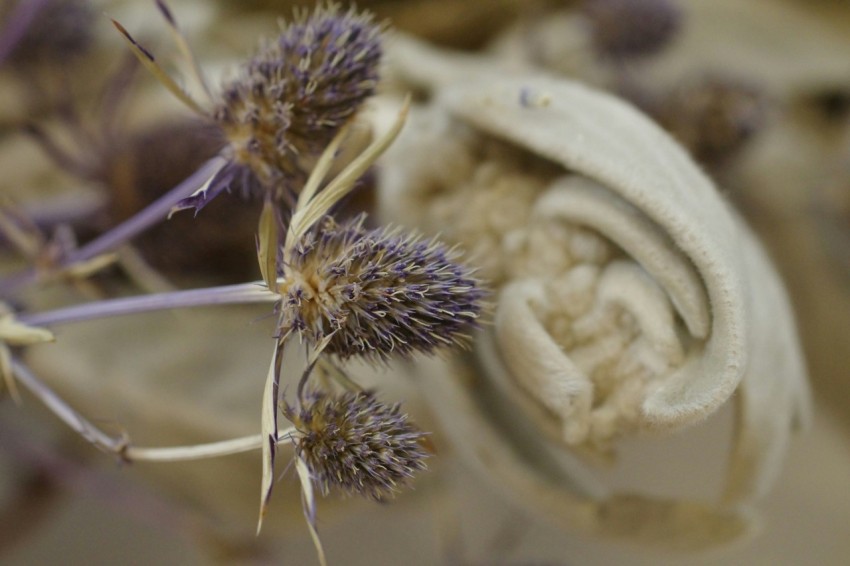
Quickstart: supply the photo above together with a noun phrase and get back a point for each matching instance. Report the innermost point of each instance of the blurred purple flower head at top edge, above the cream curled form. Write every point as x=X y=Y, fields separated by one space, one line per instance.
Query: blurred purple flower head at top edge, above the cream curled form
x=632 y=28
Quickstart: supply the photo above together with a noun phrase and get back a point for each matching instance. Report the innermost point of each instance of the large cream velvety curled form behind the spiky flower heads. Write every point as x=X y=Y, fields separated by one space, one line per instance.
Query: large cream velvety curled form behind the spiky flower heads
x=630 y=298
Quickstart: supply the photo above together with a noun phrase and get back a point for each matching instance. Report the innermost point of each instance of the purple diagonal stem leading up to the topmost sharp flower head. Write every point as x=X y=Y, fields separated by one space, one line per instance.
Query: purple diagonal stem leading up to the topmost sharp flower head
x=153 y=213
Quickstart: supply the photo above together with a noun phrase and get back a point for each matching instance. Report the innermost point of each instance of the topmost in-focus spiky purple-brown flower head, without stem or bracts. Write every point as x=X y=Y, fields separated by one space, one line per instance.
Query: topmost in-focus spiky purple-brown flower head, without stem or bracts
x=294 y=95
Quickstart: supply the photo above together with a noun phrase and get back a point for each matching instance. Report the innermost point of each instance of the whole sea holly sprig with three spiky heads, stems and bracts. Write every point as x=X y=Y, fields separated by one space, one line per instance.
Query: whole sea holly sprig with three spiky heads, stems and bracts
x=347 y=290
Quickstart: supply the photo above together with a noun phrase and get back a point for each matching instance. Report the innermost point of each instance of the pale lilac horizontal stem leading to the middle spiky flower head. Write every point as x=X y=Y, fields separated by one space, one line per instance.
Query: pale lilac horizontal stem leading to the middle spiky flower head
x=226 y=295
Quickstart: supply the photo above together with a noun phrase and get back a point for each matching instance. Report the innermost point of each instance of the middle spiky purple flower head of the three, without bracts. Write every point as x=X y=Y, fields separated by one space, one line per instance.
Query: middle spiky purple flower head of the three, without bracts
x=377 y=292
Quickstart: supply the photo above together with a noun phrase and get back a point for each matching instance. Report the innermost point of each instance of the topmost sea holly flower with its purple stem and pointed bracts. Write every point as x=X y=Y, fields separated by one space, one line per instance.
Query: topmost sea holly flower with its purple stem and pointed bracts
x=290 y=101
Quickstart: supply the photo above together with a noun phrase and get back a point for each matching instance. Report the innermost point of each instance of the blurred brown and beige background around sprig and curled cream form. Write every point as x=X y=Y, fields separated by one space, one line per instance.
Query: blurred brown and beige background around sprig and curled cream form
x=757 y=91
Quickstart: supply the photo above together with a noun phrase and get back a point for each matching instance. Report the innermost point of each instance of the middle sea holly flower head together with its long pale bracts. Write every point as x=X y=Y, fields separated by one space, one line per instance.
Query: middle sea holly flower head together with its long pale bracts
x=328 y=275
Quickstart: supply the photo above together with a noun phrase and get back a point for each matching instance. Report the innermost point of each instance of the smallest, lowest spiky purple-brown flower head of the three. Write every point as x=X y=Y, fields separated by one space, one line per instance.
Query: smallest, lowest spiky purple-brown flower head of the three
x=356 y=443
